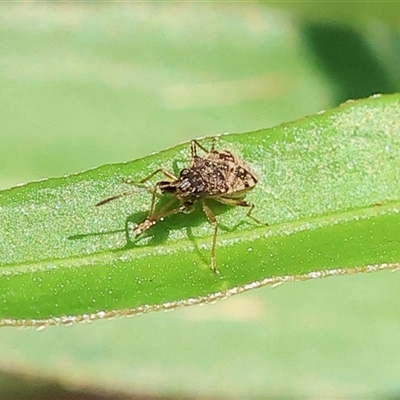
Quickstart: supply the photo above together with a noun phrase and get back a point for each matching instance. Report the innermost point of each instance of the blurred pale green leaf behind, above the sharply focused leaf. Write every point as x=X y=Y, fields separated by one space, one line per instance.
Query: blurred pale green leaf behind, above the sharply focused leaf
x=83 y=86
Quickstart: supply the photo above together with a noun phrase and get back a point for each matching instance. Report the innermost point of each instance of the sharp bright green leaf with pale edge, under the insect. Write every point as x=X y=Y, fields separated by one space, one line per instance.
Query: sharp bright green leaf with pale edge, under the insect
x=328 y=189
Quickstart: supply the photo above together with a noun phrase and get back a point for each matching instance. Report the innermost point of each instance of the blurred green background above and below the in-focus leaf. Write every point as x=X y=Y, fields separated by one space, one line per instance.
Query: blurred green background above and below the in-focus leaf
x=88 y=84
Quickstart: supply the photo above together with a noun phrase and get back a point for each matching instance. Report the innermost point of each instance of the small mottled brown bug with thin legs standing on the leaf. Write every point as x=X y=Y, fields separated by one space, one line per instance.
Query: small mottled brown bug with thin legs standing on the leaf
x=216 y=175
